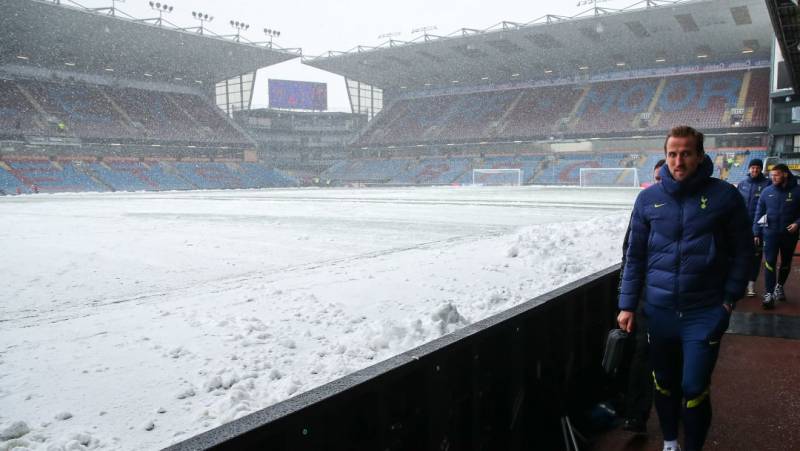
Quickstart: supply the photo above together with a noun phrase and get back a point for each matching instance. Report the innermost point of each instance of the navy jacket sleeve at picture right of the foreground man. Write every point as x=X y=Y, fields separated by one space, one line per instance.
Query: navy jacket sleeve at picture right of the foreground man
x=740 y=240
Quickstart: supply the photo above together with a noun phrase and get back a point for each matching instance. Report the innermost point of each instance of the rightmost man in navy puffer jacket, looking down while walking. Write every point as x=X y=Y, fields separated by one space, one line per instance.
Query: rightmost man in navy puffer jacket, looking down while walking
x=781 y=204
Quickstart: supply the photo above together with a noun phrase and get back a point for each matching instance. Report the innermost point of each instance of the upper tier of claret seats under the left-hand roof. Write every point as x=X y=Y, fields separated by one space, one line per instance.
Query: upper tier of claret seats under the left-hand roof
x=102 y=112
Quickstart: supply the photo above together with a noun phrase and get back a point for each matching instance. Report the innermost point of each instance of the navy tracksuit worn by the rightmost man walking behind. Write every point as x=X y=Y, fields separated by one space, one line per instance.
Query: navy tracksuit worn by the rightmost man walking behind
x=781 y=204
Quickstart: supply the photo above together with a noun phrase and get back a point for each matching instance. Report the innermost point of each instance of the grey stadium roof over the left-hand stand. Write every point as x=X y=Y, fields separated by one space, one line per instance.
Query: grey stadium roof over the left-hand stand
x=44 y=34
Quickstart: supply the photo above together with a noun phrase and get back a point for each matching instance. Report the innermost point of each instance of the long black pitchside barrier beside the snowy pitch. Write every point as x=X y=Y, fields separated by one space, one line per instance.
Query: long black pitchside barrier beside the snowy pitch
x=504 y=383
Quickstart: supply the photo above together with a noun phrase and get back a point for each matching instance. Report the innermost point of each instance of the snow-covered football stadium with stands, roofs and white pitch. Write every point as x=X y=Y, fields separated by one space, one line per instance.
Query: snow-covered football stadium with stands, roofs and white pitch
x=435 y=268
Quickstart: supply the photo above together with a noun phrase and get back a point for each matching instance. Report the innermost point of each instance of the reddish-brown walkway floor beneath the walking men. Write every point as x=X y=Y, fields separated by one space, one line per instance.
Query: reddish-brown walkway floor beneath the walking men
x=756 y=386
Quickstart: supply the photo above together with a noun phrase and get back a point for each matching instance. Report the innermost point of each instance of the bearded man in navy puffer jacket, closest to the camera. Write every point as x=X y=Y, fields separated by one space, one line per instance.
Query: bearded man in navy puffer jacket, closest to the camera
x=690 y=247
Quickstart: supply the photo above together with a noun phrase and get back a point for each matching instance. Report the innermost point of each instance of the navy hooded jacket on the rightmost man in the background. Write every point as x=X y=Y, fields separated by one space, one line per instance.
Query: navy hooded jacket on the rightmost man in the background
x=781 y=204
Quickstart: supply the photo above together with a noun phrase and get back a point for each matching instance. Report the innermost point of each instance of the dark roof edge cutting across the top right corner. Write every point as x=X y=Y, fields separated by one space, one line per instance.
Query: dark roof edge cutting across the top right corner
x=785 y=16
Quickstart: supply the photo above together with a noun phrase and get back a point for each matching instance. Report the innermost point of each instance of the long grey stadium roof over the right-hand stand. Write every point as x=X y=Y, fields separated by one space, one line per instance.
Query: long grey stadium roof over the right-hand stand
x=599 y=40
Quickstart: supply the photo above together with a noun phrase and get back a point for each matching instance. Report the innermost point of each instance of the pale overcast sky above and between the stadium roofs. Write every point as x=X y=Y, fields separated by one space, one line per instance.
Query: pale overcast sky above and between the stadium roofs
x=317 y=26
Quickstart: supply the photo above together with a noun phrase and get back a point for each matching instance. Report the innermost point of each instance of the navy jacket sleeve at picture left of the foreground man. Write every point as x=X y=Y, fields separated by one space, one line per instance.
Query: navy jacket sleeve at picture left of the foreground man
x=634 y=272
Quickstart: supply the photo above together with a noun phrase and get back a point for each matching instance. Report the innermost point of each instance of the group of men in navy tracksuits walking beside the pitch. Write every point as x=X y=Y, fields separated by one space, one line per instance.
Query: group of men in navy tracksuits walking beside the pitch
x=693 y=248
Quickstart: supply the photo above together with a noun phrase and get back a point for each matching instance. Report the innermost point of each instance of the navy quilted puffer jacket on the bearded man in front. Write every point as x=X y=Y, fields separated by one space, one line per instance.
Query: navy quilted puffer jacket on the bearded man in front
x=690 y=243
